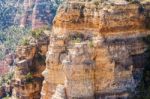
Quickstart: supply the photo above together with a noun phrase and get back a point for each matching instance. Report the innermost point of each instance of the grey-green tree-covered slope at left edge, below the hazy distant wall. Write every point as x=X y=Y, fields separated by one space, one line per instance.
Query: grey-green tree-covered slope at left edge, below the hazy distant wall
x=10 y=37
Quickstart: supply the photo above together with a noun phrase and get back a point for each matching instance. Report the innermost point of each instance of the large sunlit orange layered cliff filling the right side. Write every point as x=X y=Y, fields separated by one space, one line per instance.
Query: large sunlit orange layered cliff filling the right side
x=96 y=50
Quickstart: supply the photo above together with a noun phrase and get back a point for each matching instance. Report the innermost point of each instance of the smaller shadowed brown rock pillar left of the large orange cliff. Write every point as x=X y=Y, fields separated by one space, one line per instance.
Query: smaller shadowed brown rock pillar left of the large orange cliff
x=30 y=63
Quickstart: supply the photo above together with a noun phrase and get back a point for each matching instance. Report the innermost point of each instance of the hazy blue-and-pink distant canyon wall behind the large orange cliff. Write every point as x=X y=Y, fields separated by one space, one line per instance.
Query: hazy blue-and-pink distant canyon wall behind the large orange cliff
x=27 y=13
